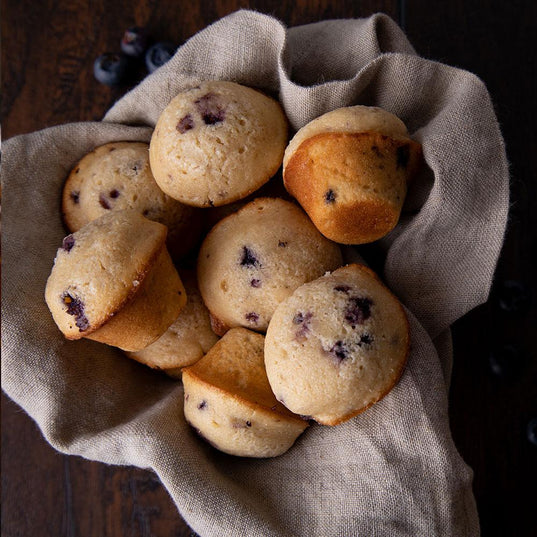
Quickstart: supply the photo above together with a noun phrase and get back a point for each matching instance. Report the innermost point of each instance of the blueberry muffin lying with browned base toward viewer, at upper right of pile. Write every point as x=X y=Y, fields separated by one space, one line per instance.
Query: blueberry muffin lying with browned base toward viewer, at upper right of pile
x=349 y=169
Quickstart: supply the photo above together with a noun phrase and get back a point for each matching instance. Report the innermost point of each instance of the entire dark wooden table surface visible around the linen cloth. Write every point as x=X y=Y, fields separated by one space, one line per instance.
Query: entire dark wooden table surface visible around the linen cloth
x=48 y=49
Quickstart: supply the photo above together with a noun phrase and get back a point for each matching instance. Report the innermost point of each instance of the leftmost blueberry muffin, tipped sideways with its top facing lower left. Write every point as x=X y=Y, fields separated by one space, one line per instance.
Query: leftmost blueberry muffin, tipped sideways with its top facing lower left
x=113 y=281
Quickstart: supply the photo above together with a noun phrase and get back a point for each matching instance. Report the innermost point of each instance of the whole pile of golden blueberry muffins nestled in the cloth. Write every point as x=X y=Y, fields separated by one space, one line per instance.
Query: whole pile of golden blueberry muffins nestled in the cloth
x=189 y=255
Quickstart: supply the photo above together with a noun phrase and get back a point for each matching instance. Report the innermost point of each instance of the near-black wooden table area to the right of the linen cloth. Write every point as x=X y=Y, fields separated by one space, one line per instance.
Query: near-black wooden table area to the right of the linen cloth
x=489 y=414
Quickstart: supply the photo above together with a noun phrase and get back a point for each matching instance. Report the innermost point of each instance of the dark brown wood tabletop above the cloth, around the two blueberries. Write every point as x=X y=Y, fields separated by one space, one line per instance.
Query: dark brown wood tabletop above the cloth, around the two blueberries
x=48 y=68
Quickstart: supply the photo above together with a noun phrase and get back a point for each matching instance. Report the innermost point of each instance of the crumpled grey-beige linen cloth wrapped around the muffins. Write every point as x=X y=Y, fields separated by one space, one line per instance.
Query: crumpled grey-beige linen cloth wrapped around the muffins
x=394 y=469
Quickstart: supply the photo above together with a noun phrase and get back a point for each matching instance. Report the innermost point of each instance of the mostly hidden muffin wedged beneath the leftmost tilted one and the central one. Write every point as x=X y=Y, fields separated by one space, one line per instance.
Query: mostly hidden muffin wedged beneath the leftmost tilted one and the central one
x=186 y=340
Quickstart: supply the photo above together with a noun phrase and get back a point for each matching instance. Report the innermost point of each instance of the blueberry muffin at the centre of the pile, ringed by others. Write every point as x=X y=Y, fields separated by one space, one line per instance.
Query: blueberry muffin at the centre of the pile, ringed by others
x=255 y=258
